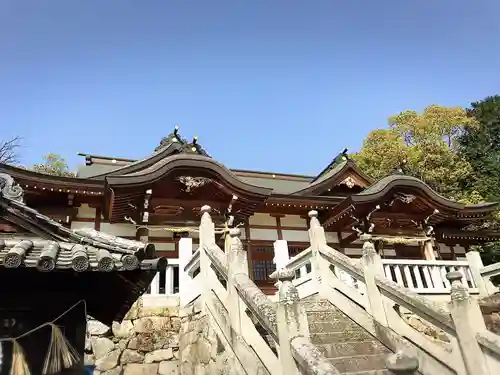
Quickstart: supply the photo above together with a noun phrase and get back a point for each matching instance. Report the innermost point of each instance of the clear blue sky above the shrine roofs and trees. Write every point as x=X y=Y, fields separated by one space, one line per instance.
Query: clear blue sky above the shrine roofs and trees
x=266 y=84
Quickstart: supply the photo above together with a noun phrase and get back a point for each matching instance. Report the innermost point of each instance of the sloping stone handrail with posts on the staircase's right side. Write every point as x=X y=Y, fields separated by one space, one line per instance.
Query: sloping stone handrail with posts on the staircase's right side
x=462 y=322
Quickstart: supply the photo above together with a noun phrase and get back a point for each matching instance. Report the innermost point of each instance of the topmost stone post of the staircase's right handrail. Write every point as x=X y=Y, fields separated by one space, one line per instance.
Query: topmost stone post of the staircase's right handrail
x=318 y=240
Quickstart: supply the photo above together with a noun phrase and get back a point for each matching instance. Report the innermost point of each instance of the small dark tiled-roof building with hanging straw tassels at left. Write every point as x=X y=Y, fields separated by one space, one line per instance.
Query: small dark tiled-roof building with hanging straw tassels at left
x=51 y=273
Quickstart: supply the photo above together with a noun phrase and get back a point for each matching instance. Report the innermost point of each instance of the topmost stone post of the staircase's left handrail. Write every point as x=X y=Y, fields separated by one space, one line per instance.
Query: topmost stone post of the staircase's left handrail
x=207 y=238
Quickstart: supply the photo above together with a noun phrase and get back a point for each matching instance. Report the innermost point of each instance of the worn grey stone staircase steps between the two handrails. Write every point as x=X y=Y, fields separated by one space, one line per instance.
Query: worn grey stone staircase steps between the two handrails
x=346 y=345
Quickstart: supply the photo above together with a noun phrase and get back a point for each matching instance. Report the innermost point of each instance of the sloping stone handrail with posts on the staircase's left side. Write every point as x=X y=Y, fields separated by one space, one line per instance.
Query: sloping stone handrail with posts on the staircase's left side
x=284 y=321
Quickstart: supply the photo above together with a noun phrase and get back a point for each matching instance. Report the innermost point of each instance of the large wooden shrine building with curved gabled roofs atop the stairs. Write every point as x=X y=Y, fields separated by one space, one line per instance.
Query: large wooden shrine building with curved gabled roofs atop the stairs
x=143 y=199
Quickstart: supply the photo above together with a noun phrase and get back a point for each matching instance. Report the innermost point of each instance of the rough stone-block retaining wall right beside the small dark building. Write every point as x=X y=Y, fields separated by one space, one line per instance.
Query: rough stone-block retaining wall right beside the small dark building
x=145 y=343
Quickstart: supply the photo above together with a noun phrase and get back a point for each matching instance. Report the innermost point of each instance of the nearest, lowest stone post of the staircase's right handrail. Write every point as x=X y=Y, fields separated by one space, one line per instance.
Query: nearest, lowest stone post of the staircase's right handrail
x=468 y=321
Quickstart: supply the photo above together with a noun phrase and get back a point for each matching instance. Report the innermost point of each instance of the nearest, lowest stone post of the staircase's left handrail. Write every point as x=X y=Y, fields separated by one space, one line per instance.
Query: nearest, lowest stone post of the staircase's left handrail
x=291 y=320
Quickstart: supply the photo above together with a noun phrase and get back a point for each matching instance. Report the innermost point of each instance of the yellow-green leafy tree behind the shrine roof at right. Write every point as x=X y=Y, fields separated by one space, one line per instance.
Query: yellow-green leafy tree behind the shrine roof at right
x=426 y=144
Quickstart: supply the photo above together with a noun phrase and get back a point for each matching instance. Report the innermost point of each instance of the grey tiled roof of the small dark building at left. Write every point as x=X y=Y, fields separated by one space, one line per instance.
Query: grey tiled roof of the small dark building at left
x=50 y=246
